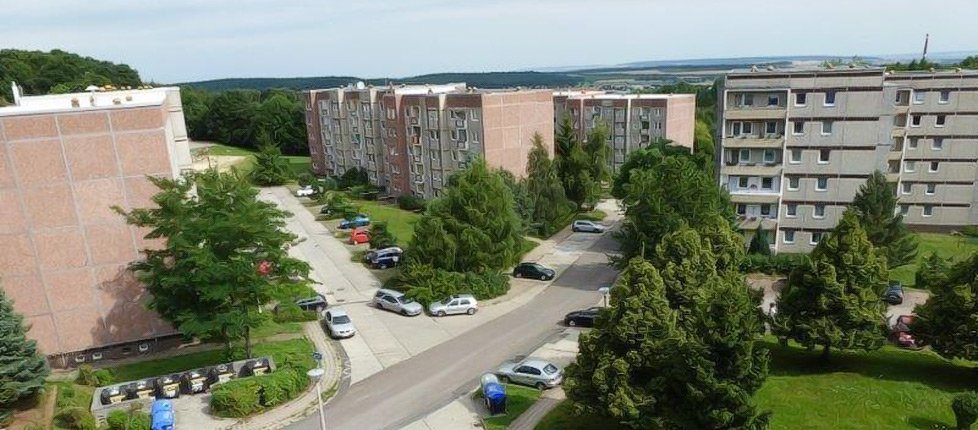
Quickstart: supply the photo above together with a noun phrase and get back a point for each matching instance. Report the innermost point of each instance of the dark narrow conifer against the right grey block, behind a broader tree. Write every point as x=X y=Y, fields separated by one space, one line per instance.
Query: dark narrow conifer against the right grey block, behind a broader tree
x=876 y=204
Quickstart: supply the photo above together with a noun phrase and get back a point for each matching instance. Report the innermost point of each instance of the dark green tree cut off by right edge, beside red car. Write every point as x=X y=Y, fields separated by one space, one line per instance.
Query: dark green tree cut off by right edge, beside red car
x=946 y=322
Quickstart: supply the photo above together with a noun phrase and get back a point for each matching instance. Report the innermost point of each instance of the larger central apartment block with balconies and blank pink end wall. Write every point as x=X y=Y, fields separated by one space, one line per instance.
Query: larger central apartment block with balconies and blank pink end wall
x=411 y=138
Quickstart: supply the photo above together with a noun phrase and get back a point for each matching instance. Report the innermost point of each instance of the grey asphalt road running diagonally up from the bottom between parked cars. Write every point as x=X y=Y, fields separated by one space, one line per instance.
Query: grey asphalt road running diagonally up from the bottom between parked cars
x=410 y=390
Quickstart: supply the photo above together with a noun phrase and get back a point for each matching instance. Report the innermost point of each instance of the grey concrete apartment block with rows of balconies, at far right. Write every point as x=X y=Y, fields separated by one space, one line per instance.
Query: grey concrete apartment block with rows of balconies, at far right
x=796 y=145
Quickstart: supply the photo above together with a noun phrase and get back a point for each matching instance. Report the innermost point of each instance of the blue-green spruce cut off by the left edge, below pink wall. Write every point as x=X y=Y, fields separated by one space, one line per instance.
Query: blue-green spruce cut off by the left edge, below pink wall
x=22 y=367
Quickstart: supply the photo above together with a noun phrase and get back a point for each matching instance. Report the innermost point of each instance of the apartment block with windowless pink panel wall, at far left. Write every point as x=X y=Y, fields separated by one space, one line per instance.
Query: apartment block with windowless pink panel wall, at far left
x=64 y=161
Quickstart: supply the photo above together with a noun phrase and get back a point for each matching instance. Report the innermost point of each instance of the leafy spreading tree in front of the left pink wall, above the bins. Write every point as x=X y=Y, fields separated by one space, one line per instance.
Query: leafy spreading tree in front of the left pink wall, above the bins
x=225 y=257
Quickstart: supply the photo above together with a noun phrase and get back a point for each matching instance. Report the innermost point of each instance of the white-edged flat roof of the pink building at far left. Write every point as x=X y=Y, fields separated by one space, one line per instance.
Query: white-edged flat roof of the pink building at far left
x=87 y=101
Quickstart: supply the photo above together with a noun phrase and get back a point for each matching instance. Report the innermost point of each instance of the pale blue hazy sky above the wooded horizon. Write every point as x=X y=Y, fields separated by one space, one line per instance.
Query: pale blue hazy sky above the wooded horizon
x=171 y=41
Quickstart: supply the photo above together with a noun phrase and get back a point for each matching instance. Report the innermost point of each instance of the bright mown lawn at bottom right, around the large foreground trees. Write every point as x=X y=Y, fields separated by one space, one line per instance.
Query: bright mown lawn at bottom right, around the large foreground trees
x=889 y=389
